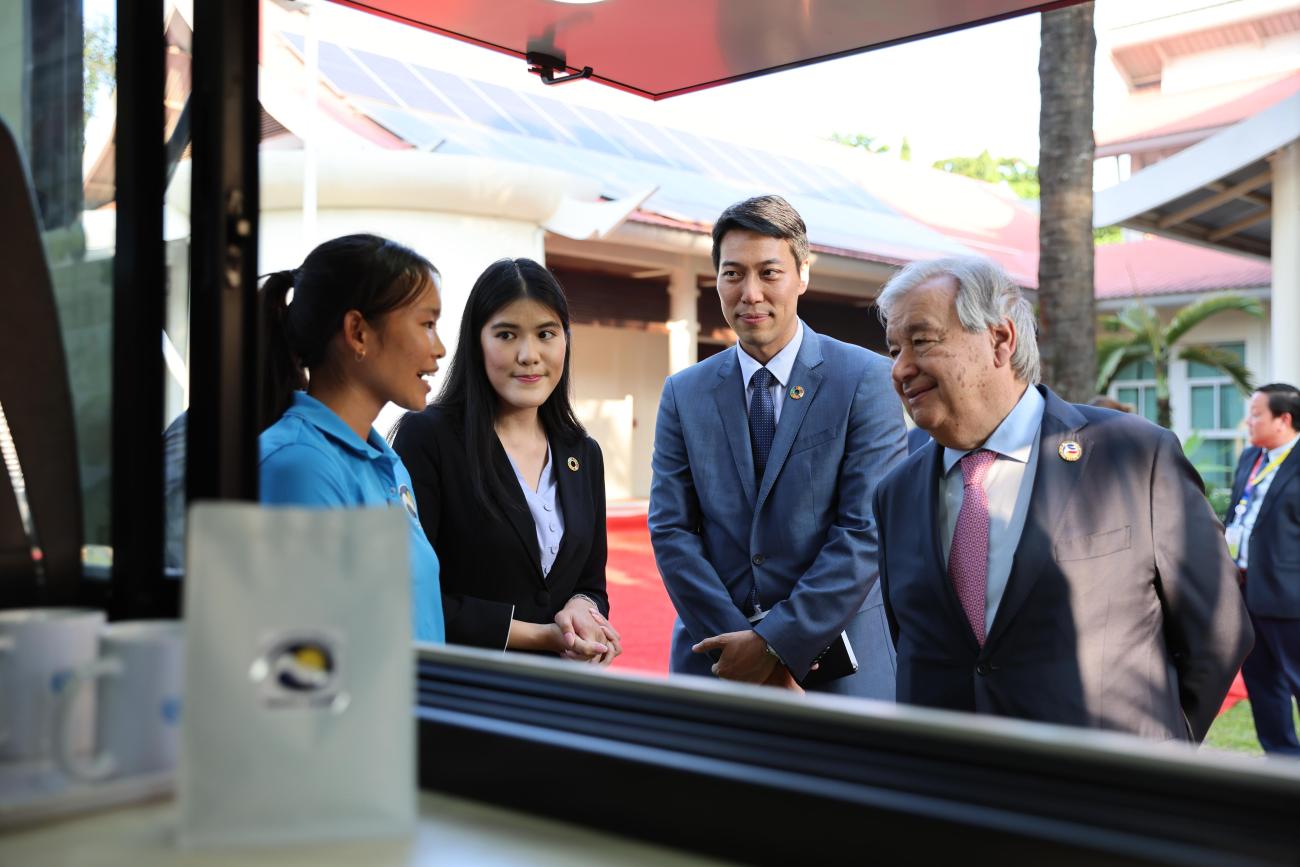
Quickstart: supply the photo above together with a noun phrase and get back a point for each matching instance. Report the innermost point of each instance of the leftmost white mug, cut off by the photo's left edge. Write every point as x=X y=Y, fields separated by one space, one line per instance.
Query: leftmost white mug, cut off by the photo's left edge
x=38 y=648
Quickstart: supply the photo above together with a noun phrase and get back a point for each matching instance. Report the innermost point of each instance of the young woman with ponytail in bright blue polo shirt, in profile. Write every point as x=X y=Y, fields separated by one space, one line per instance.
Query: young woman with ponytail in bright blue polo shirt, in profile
x=358 y=332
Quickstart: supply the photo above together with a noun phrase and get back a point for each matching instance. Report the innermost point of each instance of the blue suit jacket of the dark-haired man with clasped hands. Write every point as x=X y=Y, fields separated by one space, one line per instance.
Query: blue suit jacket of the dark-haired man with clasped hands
x=804 y=535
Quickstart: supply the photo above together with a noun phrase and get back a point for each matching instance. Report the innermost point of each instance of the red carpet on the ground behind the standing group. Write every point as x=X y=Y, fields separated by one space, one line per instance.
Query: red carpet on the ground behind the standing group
x=640 y=608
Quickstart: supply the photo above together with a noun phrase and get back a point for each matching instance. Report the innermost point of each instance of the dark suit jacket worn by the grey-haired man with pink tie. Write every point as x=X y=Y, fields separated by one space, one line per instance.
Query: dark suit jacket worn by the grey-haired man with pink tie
x=1121 y=612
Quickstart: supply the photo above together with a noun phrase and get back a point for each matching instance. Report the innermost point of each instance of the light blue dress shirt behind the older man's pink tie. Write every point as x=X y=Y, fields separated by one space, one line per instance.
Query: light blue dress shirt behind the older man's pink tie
x=1008 y=484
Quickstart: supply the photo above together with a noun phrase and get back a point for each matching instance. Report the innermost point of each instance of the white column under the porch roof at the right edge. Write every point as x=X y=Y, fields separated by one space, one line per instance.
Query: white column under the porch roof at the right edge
x=1286 y=265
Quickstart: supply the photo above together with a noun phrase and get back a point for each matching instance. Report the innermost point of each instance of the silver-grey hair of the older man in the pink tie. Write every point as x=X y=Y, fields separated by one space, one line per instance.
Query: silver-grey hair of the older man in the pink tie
x=986 y=296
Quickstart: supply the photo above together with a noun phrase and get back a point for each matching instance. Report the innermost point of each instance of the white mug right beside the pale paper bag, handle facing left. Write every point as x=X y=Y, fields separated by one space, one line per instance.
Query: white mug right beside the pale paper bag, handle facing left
x=140 y=673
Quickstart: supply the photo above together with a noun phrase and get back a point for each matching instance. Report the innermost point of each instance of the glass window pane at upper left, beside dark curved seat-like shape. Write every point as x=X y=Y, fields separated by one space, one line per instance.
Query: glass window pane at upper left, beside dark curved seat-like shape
x=58 y=72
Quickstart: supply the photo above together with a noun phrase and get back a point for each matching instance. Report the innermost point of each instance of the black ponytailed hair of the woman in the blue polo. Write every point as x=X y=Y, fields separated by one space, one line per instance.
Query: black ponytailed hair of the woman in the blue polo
x=365 y=274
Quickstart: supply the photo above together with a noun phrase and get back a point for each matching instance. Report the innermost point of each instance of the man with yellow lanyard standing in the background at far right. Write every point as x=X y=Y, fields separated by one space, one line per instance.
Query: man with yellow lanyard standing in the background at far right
x=1264 y=537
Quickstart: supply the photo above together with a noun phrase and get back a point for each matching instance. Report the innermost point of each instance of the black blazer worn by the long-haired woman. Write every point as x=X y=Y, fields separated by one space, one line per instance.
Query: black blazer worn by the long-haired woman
x=491 y=569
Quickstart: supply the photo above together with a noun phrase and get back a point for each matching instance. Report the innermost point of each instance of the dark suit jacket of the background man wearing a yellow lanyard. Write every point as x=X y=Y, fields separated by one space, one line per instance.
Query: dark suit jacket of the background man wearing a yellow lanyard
x=1273 y=556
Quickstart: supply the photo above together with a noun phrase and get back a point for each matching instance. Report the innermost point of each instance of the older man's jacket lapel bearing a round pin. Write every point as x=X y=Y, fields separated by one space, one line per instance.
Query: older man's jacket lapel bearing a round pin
x=1055 y=484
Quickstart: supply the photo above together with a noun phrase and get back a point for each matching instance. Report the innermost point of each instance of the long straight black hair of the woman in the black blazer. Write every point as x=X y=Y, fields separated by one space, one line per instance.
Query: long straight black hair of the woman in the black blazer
x=469 y=393
